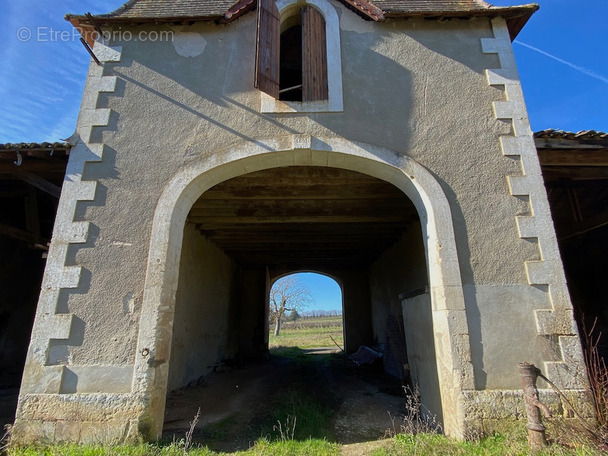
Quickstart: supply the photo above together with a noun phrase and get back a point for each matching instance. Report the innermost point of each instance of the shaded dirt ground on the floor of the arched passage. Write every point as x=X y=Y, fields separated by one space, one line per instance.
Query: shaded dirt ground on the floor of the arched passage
x=240 y=405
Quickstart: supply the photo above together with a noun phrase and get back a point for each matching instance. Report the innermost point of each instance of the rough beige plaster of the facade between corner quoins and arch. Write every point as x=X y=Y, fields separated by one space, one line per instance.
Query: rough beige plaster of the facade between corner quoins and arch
x=207 y=103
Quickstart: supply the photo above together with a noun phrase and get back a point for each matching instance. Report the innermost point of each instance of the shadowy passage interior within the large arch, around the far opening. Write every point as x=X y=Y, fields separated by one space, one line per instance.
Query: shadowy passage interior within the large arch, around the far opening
x=243 y=234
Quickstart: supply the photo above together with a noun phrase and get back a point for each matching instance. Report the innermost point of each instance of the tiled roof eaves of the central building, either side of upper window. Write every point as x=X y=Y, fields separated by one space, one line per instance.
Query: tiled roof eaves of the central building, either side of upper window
x=170 y=11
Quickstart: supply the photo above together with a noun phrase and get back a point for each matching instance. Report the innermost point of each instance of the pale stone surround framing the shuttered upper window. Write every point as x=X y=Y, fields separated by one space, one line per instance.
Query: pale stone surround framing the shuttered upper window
x=334 y=101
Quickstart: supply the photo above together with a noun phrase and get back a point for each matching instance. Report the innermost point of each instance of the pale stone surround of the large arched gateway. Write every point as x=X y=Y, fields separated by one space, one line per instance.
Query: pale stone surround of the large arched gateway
x=451 y=338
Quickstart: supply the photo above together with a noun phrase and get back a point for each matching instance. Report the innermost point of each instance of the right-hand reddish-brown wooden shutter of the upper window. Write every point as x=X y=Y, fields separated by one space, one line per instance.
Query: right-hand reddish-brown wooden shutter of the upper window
x=314 y=56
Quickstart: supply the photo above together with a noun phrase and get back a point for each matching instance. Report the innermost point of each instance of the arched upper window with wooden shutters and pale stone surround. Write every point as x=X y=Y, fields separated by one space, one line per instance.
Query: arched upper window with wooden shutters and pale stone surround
x=293 y=66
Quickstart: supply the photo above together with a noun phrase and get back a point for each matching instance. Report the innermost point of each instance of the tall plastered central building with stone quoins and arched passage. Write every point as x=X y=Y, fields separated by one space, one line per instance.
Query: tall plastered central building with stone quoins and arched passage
x=145 y=286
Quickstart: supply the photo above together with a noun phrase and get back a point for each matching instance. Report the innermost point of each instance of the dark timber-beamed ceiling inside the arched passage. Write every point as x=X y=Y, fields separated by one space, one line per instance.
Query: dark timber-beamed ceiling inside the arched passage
x=303 y=218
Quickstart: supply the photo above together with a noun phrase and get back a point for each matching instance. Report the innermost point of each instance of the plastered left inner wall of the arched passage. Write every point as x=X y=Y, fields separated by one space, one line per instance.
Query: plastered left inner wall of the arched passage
x=204 y=330
